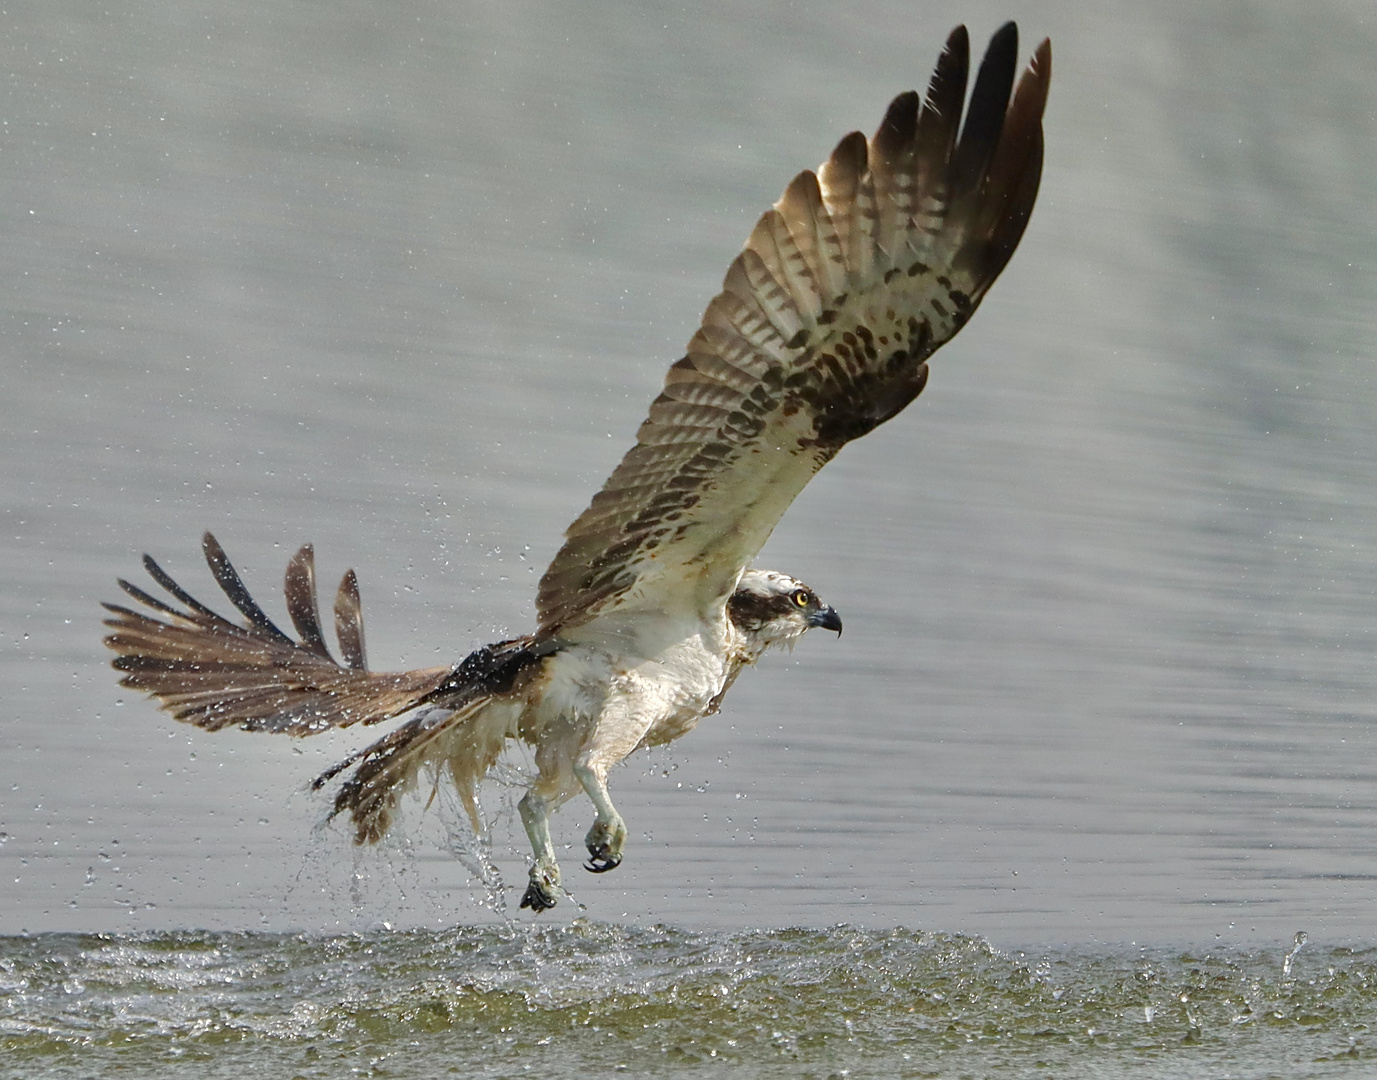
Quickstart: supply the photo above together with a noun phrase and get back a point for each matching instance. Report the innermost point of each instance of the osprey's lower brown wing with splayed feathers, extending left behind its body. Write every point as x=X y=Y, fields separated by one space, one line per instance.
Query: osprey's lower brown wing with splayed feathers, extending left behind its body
x=213 y=673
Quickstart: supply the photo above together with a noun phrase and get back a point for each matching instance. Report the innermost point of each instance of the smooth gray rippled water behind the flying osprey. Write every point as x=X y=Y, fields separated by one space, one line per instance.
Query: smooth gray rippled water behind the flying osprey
x=401 y=280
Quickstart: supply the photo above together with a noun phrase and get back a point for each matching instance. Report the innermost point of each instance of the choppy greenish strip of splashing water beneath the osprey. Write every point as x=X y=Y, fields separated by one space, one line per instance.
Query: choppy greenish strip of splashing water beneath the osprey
x=598 y=998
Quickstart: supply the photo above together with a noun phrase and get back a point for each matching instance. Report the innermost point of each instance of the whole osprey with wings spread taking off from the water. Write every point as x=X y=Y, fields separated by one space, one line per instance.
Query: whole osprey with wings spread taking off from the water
x=649 y=612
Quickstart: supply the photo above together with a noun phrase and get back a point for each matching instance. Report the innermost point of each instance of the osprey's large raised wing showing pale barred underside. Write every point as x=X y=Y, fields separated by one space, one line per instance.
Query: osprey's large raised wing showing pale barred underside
x=821 y=334
